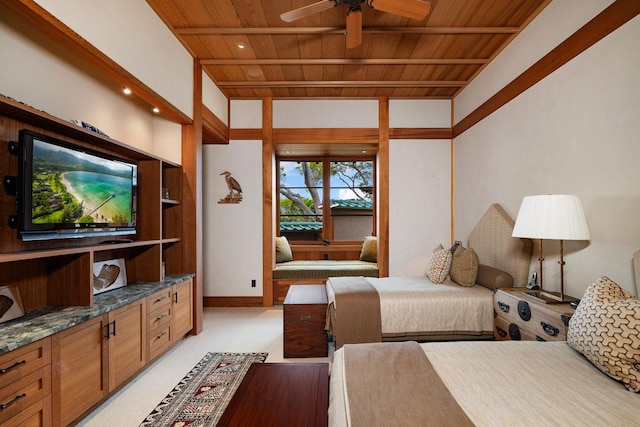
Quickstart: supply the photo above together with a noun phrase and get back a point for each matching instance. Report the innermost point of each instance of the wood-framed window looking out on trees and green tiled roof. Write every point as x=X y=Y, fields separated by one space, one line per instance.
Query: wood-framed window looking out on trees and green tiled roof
x=323 y=198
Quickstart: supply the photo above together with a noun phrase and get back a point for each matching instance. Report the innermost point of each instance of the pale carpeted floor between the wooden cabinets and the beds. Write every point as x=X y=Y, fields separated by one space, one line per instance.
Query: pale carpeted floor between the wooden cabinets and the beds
x=233 y=330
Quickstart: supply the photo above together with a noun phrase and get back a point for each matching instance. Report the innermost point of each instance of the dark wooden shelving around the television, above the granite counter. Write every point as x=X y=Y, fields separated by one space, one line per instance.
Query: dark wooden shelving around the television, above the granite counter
x=60 y=272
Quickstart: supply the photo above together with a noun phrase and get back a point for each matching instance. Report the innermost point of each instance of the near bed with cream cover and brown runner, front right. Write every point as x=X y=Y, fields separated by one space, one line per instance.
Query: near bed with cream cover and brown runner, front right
x=506 y=383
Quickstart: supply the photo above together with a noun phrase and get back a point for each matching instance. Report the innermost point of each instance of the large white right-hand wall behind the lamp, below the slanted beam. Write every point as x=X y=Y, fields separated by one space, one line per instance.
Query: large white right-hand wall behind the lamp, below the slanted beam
x=576 y=132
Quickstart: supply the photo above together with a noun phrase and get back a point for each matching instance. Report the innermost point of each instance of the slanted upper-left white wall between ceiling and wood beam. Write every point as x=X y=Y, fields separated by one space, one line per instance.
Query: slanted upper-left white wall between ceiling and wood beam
x=132 y=35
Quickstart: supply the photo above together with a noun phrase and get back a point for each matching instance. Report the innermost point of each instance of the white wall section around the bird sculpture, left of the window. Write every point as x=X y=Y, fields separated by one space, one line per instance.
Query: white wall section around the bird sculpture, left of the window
x=232 y=232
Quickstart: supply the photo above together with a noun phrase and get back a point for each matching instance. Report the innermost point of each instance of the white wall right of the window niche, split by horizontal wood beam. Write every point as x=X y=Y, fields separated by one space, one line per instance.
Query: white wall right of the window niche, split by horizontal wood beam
x=419 y=186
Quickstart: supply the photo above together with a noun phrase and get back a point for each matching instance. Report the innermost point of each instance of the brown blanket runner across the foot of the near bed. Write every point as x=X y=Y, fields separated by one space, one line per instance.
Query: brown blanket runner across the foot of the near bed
x=394 y=384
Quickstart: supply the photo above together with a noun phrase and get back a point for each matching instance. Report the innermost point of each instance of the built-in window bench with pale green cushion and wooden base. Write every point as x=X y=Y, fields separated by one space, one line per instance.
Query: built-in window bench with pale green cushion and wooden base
x=316 y=272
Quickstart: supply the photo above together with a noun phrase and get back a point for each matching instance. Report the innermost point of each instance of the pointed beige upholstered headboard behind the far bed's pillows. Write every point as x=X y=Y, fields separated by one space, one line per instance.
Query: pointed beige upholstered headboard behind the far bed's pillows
x=491 y=240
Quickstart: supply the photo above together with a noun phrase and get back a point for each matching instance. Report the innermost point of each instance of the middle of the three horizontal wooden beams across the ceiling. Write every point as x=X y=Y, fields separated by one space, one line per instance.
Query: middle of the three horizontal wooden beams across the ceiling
x=347 y=61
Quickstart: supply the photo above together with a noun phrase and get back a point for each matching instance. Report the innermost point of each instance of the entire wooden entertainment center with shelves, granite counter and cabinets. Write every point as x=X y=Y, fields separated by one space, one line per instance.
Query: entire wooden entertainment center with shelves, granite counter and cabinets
x=66 y=356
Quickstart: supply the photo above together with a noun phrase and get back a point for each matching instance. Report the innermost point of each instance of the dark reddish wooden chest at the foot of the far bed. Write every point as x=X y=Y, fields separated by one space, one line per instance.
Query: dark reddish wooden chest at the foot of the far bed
x=305 y=310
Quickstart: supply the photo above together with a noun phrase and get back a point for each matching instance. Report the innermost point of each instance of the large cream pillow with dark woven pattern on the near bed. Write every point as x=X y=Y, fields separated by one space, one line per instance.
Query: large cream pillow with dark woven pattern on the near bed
x=606 y=330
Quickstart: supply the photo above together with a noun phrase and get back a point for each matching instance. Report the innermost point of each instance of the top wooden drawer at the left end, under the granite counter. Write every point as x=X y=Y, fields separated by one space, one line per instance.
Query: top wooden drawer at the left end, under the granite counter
x=18 y=363
